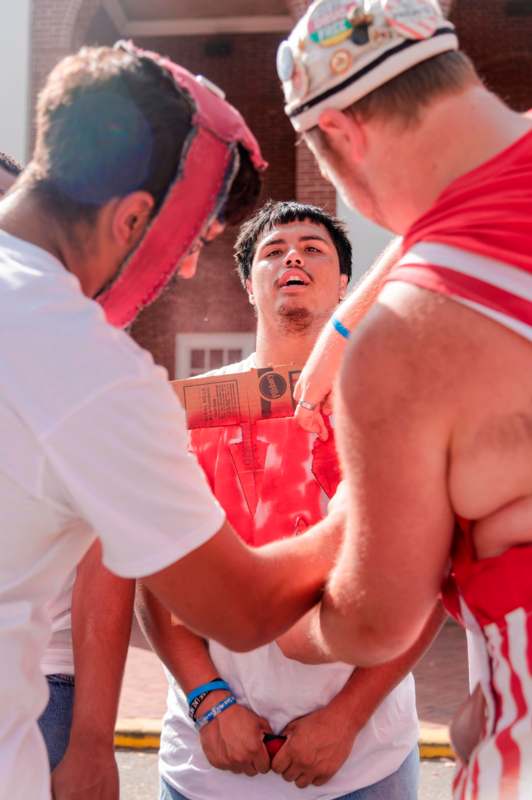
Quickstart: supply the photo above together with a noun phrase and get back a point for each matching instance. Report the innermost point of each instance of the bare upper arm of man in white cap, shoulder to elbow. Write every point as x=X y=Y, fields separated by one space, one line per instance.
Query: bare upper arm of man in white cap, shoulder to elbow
x=396 y=409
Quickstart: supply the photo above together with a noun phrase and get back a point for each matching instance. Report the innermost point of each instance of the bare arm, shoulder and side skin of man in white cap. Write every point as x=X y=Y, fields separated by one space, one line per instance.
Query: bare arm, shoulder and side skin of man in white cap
x=431 y=444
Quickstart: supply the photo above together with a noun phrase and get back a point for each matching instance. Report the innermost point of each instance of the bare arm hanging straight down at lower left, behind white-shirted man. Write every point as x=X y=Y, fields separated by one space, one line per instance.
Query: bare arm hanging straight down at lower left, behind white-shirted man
x=102 y=606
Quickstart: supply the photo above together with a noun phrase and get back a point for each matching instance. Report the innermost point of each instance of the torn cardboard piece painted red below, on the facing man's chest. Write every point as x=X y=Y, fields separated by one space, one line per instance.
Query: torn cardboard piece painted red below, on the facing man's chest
x=269 y=457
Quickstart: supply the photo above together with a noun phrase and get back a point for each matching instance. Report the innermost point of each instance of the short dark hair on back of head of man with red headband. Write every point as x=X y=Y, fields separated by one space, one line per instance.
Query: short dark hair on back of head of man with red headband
x=109 y=122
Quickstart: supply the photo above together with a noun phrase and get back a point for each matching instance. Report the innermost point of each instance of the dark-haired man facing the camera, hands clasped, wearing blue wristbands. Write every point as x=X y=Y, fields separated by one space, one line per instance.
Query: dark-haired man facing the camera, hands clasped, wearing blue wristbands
x=348 y=733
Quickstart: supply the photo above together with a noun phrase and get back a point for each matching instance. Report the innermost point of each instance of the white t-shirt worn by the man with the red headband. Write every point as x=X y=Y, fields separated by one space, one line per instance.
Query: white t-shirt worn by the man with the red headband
x=92 y=440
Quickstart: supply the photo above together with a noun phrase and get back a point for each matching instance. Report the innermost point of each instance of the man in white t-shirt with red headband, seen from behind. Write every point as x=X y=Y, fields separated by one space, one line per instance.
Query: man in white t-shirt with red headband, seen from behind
x=135 y=159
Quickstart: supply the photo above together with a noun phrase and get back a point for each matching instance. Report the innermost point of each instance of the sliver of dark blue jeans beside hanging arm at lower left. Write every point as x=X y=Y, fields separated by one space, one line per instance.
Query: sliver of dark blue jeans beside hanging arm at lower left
x=56 y=719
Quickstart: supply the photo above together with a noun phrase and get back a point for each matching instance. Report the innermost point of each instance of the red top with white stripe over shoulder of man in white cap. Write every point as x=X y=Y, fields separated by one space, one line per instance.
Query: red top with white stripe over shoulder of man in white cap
x=475 y=243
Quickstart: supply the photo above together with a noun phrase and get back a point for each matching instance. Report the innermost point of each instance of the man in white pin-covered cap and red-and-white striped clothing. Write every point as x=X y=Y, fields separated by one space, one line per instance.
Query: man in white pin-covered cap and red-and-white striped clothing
x=434 y=404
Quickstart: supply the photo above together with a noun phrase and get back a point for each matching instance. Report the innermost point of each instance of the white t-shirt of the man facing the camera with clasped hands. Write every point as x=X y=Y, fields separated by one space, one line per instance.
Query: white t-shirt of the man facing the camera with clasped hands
x=280 y=690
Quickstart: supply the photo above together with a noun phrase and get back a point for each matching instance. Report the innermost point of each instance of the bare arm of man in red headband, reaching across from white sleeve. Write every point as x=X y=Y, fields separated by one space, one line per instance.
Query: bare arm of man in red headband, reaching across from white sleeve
x=246 y=597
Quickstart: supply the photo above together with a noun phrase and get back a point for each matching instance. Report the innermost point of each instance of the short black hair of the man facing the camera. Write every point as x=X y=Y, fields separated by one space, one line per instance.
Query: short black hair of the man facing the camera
x=282 y=213
